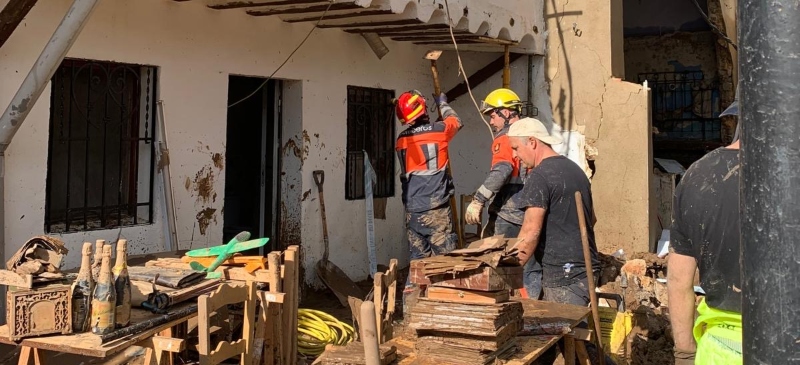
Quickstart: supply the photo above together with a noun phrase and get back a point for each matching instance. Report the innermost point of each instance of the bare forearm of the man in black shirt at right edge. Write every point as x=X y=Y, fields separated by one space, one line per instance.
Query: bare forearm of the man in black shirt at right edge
x=680 y=291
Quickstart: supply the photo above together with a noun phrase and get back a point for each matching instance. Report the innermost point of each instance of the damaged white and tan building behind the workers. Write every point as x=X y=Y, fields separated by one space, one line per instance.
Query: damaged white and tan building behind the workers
x=254 y=96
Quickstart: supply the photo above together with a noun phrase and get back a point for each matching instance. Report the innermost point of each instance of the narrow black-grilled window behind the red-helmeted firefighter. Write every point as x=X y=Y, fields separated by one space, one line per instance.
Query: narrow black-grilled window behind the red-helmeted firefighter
x=370 y=128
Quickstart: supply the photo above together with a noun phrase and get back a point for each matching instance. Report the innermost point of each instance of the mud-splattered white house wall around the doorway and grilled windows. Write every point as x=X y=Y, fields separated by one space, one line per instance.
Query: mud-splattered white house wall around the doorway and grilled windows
x=196 y=48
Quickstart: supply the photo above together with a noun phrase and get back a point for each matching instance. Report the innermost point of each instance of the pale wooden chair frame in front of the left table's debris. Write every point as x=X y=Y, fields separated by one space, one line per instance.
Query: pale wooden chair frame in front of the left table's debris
x=208 y=305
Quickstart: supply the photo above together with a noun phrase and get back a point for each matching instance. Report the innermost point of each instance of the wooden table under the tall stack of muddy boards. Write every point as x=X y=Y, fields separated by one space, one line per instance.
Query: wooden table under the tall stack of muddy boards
x=547 y=322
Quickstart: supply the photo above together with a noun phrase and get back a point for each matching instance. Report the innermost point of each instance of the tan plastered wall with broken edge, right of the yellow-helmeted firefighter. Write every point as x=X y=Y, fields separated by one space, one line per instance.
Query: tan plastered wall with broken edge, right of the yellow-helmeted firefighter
x=584 y=60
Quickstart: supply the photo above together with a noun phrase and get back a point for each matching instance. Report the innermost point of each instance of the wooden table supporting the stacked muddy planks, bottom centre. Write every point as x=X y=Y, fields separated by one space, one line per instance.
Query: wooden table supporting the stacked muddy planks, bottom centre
x=531 y=347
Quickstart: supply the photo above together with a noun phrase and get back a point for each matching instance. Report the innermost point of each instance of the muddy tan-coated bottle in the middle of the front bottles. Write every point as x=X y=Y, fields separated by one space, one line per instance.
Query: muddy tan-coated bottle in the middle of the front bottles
x=105 y=297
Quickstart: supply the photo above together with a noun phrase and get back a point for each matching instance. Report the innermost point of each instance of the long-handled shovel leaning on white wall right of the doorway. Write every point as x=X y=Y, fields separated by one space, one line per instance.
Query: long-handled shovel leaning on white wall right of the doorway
x=330 y=274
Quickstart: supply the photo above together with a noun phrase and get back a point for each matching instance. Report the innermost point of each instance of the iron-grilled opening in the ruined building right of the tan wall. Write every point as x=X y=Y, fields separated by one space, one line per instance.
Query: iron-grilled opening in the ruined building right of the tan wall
x=685 y=106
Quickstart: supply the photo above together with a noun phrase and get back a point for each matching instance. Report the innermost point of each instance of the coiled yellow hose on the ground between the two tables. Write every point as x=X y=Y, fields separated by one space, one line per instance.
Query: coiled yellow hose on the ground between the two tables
x=316 y=329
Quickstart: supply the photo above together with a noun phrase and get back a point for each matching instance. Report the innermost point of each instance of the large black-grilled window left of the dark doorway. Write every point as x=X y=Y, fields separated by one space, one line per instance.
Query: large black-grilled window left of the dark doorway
x=101 y=151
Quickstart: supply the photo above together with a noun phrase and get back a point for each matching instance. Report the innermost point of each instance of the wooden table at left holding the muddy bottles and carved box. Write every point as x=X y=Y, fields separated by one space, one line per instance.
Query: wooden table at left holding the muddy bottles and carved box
x=88 y=344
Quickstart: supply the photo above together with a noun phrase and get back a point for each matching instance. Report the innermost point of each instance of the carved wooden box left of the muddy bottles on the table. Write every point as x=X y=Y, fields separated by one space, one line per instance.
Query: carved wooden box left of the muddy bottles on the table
x=38 y=312
